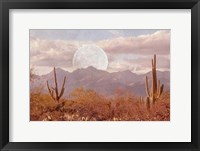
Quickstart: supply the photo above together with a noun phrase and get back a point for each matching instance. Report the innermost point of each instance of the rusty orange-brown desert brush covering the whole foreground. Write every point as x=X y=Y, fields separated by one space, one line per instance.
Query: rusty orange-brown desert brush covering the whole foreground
x=87 y=105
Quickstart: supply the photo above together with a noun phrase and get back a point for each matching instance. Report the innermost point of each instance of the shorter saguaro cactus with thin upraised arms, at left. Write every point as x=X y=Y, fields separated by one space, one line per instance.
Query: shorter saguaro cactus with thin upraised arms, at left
x=54 y=90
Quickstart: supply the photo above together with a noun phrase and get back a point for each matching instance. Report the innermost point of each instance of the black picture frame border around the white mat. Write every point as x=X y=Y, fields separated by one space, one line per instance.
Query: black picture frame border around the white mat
x=5 y=5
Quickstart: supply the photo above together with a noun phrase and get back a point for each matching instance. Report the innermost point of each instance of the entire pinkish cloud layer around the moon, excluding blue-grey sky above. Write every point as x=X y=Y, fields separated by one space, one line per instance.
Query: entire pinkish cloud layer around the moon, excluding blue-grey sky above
x=124 y=53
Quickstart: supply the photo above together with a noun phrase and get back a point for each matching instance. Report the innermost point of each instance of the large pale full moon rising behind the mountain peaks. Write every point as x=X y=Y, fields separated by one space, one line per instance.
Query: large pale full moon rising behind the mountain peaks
x=90 y=55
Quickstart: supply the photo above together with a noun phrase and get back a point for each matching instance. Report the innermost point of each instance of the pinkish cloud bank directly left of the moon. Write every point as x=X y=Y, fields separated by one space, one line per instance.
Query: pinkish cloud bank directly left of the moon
x=52 y=52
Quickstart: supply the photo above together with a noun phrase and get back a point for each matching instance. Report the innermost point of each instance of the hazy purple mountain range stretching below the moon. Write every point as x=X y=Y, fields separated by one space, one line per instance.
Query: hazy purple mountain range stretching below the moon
x=101 y=81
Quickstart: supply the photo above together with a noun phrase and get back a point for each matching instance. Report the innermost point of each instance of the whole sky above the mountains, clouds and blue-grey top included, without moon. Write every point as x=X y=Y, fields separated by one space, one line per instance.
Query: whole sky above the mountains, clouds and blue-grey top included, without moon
x=126 y=49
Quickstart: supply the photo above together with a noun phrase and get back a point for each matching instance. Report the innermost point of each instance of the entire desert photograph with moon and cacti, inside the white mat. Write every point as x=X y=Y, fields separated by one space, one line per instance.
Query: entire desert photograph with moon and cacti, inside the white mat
x=99 y=74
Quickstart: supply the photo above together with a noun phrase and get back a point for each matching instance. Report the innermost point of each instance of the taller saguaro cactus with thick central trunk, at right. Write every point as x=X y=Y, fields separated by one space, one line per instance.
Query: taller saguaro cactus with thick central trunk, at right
x=156 y=89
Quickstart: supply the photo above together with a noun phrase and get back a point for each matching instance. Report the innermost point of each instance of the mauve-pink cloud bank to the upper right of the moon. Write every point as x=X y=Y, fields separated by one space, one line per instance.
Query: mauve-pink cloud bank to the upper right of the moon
x=158 y=42
